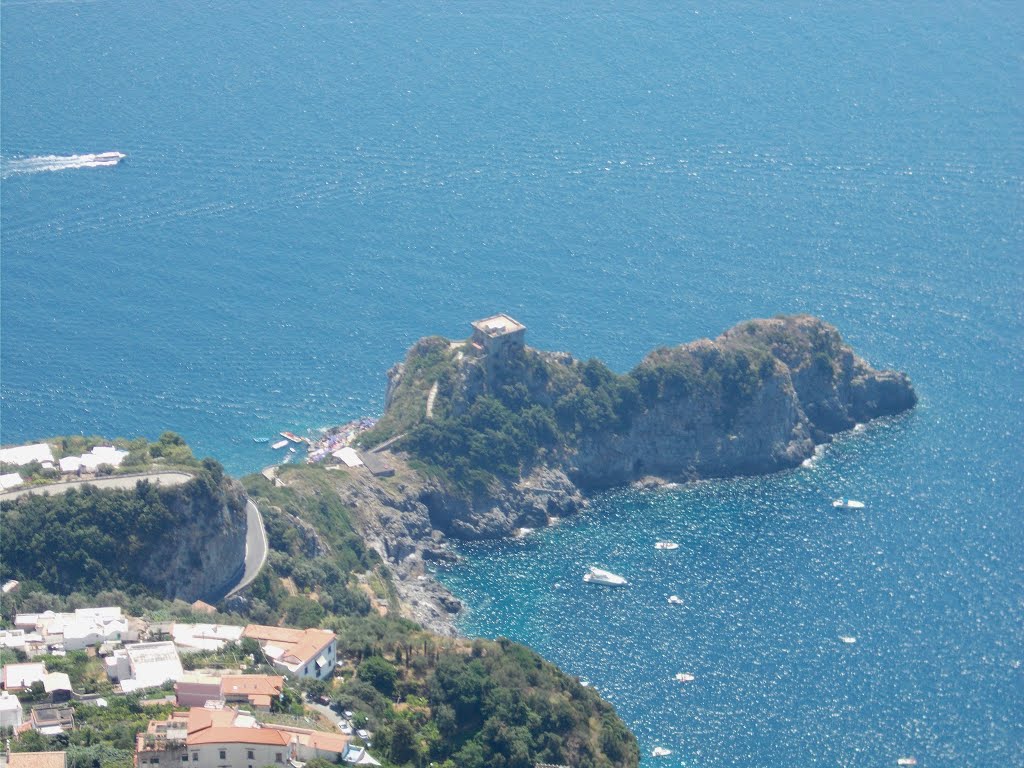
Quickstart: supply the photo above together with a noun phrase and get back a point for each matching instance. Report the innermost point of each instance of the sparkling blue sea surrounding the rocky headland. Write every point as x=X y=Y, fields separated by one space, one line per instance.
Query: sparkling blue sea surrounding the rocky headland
x=312 y=187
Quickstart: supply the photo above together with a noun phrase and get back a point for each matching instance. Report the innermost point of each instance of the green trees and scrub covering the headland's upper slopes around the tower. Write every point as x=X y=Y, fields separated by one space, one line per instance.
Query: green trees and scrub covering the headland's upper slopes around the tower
x=541 y=406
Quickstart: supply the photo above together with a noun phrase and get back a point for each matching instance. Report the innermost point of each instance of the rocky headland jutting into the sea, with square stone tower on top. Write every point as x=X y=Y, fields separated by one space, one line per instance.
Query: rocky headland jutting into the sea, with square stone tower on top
x=489 y=436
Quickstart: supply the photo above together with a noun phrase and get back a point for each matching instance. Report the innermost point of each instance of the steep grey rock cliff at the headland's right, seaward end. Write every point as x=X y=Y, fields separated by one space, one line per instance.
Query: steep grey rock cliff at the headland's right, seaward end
x=804 y=387
